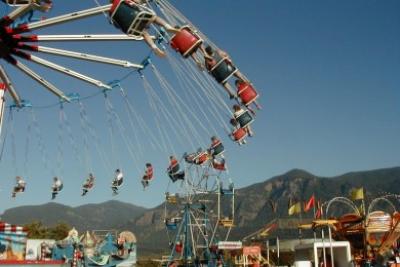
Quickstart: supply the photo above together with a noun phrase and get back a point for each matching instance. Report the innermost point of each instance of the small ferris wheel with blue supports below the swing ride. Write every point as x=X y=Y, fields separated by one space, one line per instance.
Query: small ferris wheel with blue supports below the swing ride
x=199 y=209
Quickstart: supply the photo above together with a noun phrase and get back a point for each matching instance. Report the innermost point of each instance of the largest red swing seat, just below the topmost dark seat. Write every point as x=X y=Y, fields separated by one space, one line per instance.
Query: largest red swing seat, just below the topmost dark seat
x=186 y=42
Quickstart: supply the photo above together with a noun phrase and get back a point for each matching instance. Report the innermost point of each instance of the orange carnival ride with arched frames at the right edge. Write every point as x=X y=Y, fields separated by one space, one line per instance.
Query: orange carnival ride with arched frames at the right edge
x=370 y=233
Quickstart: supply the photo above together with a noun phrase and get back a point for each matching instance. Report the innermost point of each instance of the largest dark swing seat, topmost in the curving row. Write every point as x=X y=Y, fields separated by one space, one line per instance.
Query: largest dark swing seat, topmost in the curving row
x=131 y=18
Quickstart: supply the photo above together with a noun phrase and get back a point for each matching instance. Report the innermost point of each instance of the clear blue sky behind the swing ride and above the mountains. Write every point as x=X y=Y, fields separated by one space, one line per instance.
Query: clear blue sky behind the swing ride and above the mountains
x=328 y=74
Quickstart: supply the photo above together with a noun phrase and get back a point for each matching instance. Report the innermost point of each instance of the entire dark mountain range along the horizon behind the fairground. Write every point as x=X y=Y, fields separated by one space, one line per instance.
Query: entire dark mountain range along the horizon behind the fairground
x=252 y=205
